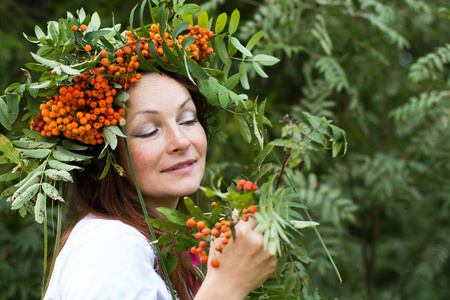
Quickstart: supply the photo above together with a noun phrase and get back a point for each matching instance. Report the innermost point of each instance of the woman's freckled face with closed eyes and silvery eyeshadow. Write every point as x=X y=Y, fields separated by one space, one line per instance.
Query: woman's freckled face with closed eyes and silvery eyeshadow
x=167 y=144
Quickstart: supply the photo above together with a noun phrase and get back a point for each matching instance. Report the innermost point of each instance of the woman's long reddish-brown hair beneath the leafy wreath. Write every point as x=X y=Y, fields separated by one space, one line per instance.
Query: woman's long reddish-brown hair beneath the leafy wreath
x=113 y=197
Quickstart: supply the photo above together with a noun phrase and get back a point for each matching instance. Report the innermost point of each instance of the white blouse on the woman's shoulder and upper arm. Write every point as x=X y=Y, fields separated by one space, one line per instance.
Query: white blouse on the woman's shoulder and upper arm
x=106 y=259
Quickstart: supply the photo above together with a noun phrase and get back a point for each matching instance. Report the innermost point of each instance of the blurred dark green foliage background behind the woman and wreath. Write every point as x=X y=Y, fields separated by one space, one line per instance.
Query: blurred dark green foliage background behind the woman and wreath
x=380 y=70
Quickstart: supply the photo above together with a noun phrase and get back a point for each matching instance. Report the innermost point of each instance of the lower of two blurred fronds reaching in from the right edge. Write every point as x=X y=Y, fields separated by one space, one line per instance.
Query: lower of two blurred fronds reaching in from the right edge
x=413 y=114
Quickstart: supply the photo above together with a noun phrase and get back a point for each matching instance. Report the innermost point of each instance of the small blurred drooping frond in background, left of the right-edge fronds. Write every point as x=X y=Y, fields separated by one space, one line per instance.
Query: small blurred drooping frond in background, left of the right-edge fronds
x=333 y=72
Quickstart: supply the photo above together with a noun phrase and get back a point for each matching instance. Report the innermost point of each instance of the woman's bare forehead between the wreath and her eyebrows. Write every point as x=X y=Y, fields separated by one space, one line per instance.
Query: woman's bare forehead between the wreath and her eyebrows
x=154 y=90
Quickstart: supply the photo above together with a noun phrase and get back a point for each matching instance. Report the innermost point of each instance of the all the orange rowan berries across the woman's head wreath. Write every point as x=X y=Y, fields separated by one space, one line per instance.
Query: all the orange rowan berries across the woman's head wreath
x=82 y=109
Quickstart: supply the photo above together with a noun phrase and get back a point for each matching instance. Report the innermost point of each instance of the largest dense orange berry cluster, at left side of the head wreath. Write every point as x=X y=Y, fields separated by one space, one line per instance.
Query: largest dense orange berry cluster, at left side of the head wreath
x=79 y=111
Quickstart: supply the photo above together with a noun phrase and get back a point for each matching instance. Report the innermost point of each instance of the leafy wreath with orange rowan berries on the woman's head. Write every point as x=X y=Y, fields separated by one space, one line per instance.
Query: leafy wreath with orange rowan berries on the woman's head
x=79 y=100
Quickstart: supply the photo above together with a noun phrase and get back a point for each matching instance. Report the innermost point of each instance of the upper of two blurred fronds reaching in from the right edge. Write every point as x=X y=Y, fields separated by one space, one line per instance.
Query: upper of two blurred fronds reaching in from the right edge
x=429 y=65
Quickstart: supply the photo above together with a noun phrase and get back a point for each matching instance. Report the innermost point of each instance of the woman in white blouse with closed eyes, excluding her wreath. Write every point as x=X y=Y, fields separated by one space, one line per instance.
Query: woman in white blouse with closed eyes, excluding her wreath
x=107 y=254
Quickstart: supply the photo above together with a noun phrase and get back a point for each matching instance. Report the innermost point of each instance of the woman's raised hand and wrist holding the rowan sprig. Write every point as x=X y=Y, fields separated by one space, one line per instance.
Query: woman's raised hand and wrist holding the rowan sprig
x=244 y=265
